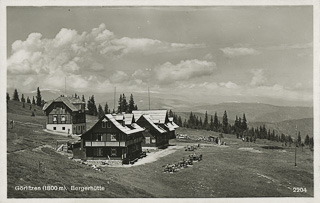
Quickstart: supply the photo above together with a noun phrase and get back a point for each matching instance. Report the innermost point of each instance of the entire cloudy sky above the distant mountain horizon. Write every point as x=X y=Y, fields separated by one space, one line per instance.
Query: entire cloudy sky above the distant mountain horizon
x=244 y=54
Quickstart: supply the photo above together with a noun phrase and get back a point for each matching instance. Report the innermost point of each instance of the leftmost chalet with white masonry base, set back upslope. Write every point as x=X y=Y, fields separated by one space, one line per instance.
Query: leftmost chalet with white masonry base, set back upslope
x=66 y=114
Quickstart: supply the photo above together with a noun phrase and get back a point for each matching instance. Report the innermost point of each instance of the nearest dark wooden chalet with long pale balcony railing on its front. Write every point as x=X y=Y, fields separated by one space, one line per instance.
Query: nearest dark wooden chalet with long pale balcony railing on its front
x=112 y=137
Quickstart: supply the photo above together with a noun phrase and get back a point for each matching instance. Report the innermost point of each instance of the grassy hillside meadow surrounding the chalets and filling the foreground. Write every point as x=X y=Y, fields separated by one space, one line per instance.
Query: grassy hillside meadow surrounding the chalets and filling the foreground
x=239 y=169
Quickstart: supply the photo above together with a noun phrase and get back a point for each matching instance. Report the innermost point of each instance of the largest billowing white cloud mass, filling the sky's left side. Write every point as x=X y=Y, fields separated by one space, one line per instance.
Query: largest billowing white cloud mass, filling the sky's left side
x=79 y=56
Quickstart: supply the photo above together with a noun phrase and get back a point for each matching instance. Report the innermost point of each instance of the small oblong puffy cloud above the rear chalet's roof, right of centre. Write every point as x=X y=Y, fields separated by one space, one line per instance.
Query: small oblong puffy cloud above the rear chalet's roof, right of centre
x=168 y=73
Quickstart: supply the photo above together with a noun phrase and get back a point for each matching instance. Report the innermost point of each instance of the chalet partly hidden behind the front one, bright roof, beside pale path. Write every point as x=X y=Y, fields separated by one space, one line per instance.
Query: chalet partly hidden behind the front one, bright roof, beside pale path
x=159 y=128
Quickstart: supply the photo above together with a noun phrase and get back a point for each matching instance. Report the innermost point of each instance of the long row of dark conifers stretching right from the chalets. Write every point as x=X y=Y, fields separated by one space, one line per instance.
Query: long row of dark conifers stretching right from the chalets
x=238 y=128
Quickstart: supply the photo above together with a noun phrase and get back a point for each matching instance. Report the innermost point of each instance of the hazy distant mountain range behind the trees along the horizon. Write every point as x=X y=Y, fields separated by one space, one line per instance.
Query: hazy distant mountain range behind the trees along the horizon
x=282 y=119
